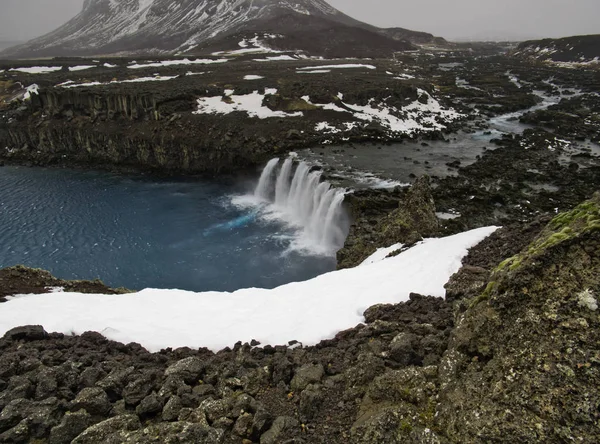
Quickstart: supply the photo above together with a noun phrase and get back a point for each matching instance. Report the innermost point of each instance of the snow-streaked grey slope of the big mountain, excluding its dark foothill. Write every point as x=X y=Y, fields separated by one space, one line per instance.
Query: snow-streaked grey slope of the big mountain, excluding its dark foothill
x=129 y=26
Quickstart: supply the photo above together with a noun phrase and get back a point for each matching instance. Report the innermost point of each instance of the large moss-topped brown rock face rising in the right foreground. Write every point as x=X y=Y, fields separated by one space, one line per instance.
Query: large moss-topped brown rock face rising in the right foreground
x=523 y=361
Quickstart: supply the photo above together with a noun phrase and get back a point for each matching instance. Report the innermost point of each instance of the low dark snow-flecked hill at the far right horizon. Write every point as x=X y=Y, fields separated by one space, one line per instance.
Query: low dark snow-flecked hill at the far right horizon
x=576 y=49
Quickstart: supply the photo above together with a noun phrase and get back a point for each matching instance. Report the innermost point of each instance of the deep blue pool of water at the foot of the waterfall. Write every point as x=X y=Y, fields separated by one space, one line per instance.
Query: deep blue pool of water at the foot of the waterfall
x=140 y=232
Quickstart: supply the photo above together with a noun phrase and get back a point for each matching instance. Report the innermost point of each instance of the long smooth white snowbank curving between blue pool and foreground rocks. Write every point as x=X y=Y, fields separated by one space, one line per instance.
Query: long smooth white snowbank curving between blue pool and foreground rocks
x=305 y=311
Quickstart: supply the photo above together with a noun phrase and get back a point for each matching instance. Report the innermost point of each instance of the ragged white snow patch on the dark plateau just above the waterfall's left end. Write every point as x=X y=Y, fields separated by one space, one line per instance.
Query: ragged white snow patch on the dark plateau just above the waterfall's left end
x=249 y=103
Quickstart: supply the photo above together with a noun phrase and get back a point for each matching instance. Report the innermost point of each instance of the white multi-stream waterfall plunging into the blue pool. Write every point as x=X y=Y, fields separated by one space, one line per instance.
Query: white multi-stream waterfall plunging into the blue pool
x=298 y=194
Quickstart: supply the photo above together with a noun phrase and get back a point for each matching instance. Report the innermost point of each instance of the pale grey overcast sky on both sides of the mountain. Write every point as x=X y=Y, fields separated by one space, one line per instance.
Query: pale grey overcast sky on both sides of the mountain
x=452 y=19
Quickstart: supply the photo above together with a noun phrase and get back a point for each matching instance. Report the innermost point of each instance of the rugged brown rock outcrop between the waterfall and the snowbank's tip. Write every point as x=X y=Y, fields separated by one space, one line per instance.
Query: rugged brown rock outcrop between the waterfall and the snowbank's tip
x=412 y=219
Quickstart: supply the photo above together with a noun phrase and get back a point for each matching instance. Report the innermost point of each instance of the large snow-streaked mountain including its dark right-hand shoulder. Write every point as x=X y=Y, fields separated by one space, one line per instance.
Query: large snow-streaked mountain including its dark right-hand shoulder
x=170 y=26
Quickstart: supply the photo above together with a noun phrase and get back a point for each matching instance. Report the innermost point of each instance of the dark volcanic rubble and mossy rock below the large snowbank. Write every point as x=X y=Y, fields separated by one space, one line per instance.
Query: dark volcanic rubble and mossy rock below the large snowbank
x=511 y=355
